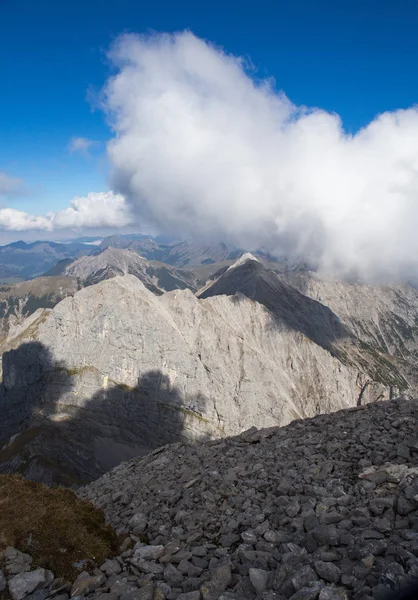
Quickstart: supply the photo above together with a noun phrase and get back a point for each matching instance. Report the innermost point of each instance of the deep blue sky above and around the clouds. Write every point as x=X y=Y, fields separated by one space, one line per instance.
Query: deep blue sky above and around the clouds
x=355 y=58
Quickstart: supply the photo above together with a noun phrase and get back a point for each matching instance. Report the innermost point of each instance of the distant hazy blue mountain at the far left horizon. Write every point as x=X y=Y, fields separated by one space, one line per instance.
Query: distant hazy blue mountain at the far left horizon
x=26 y=261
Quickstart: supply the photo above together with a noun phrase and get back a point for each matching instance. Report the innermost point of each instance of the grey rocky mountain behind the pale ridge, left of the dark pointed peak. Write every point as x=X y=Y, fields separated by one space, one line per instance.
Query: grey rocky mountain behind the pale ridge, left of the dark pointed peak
x=111 y=262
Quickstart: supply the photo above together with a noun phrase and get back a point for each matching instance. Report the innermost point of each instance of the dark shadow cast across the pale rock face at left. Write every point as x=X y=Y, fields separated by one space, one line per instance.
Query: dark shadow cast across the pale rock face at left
x=69 y=438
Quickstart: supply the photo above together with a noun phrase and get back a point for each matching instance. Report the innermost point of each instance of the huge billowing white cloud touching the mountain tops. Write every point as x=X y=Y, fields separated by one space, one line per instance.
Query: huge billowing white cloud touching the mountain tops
x=202 y=149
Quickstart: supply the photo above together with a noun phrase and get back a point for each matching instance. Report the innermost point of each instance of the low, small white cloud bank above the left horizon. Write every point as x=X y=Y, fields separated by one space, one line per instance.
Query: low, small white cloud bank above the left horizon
x=96 y=210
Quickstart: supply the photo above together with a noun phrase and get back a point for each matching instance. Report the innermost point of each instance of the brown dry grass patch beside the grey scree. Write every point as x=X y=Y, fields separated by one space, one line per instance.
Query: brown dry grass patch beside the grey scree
x=54 y=526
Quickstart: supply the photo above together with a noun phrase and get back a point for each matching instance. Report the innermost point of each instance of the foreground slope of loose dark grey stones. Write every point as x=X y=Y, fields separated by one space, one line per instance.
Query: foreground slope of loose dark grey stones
x=324 y=508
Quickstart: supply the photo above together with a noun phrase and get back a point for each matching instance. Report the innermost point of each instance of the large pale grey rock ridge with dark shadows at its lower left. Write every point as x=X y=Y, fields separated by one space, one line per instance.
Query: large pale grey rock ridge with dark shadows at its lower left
x=115 y=371
